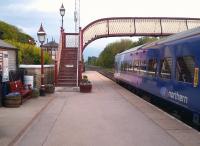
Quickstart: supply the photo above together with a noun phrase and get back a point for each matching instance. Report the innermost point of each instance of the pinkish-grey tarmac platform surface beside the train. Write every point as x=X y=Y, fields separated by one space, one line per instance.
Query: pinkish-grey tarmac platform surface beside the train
x=108 y=116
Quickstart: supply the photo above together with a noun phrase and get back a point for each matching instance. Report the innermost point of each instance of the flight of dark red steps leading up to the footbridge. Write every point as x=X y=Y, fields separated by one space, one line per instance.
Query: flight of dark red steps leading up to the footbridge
x=67 y=75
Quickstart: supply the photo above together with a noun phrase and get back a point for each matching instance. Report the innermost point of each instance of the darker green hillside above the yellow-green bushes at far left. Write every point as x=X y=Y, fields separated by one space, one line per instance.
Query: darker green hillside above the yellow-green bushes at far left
x=10 y=32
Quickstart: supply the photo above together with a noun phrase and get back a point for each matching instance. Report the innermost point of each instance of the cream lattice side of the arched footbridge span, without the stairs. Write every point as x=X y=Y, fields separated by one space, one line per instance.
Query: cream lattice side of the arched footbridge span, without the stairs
x=135 y=26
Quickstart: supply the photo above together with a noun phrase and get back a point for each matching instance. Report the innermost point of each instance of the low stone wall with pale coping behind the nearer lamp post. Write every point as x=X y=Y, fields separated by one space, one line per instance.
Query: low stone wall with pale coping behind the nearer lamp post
x=35 y=71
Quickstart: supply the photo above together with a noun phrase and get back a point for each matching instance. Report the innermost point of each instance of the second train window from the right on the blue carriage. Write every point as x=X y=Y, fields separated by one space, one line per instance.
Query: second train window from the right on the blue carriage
x=165 y=68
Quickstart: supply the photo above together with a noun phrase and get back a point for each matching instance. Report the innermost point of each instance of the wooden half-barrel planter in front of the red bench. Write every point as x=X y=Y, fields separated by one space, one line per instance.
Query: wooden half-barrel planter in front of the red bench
x=12 y=100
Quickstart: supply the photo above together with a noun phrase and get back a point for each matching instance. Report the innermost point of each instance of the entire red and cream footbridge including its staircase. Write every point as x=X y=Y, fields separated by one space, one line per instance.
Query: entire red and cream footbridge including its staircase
x=72 y=45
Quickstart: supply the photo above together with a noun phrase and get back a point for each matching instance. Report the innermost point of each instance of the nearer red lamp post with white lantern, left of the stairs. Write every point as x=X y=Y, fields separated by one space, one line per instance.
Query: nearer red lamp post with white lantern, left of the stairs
x=41 y=37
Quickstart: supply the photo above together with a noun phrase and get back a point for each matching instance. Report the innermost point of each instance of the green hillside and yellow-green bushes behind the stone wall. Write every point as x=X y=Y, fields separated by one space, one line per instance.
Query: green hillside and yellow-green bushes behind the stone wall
x=28 y=52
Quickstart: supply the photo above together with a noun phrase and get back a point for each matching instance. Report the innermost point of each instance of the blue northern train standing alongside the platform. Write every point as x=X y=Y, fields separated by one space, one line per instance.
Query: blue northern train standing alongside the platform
x=167 y=69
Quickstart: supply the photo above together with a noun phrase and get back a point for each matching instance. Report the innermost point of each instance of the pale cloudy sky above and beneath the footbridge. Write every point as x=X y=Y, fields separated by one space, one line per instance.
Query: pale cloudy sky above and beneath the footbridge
x=29 y=14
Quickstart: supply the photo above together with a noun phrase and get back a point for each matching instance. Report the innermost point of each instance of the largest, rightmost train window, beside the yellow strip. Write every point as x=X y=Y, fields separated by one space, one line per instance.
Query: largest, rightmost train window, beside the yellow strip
x=185 y=69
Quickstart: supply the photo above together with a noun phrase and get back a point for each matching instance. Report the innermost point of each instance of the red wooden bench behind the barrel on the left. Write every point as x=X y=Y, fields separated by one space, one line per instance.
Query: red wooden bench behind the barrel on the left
x=24 y=90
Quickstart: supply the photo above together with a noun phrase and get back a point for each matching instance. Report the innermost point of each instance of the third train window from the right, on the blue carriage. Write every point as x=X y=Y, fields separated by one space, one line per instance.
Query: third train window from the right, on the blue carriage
x=152 y=66
